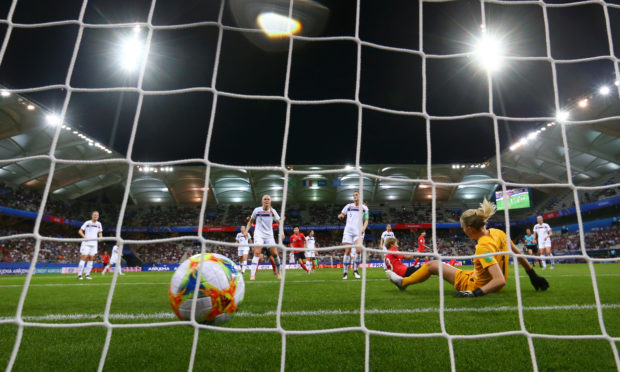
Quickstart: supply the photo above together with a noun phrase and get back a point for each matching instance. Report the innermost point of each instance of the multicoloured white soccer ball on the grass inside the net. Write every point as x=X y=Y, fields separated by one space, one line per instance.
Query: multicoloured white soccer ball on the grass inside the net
x=221 y=289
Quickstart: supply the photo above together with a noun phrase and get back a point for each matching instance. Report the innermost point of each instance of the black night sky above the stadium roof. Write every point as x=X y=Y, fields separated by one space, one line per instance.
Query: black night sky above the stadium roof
x=250 y=131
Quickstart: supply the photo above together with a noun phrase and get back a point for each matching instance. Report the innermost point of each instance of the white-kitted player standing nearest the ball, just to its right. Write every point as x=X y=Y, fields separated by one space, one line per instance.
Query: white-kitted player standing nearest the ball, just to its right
x=263 y=233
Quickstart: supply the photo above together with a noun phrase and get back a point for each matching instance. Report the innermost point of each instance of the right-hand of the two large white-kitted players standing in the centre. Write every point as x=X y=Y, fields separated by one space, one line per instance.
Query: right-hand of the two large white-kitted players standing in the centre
x=357 y=221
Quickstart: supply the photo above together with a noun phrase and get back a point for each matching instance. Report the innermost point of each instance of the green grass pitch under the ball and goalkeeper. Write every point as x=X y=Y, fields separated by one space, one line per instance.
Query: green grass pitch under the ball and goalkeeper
x=318 y=301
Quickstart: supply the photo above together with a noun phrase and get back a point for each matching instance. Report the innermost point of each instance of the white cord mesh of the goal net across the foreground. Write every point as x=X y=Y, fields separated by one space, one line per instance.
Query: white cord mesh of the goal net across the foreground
x=110 y=326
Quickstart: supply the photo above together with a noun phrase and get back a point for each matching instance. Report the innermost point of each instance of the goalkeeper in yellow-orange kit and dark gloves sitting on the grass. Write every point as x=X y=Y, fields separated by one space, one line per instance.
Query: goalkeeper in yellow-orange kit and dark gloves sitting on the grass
x=490 y=272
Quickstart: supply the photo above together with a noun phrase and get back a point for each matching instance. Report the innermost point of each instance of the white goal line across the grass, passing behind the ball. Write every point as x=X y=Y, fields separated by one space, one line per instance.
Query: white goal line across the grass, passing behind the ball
x=170 y=315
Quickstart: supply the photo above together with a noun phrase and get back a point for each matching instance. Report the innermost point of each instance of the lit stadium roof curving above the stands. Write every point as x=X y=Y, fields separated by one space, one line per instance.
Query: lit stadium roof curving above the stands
x=28 y=132
